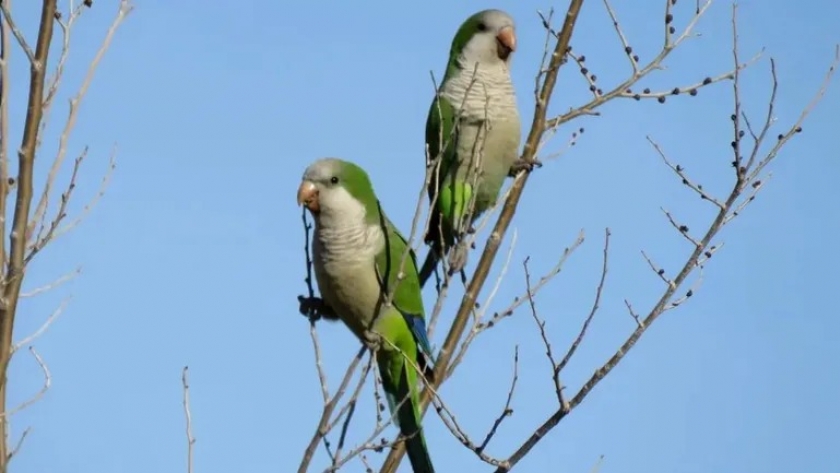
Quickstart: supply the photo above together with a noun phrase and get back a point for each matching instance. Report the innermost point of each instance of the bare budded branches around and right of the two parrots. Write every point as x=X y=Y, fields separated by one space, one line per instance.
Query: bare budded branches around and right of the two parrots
x=749 y=180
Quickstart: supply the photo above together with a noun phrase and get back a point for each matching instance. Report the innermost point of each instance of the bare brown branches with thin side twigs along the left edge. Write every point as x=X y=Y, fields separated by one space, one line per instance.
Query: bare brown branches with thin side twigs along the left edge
x=23 y=241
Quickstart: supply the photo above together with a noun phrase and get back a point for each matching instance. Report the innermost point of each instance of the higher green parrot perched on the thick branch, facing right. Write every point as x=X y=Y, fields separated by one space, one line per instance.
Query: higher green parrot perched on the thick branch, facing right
x=473 y=123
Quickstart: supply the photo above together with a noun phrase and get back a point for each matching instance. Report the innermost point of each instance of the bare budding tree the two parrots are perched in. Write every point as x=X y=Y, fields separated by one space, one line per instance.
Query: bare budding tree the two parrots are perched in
x=756 y=143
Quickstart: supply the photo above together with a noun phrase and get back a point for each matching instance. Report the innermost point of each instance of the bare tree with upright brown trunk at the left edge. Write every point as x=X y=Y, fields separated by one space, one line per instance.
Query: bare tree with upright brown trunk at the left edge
x=33 y=227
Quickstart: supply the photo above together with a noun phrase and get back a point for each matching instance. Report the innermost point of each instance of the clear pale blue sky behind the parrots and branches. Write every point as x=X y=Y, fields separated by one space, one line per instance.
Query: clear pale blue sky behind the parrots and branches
x=194 y=257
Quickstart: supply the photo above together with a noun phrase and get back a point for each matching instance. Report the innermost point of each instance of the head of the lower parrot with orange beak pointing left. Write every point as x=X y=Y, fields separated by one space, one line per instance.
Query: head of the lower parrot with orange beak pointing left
x=333 y=187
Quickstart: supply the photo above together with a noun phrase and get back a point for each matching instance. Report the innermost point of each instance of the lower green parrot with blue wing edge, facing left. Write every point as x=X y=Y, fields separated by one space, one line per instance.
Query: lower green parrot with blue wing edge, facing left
x=356 y=255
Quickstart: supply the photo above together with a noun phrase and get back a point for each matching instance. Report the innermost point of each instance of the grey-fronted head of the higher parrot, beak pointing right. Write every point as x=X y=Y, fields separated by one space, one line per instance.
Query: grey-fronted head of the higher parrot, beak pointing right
x=487 y=37
